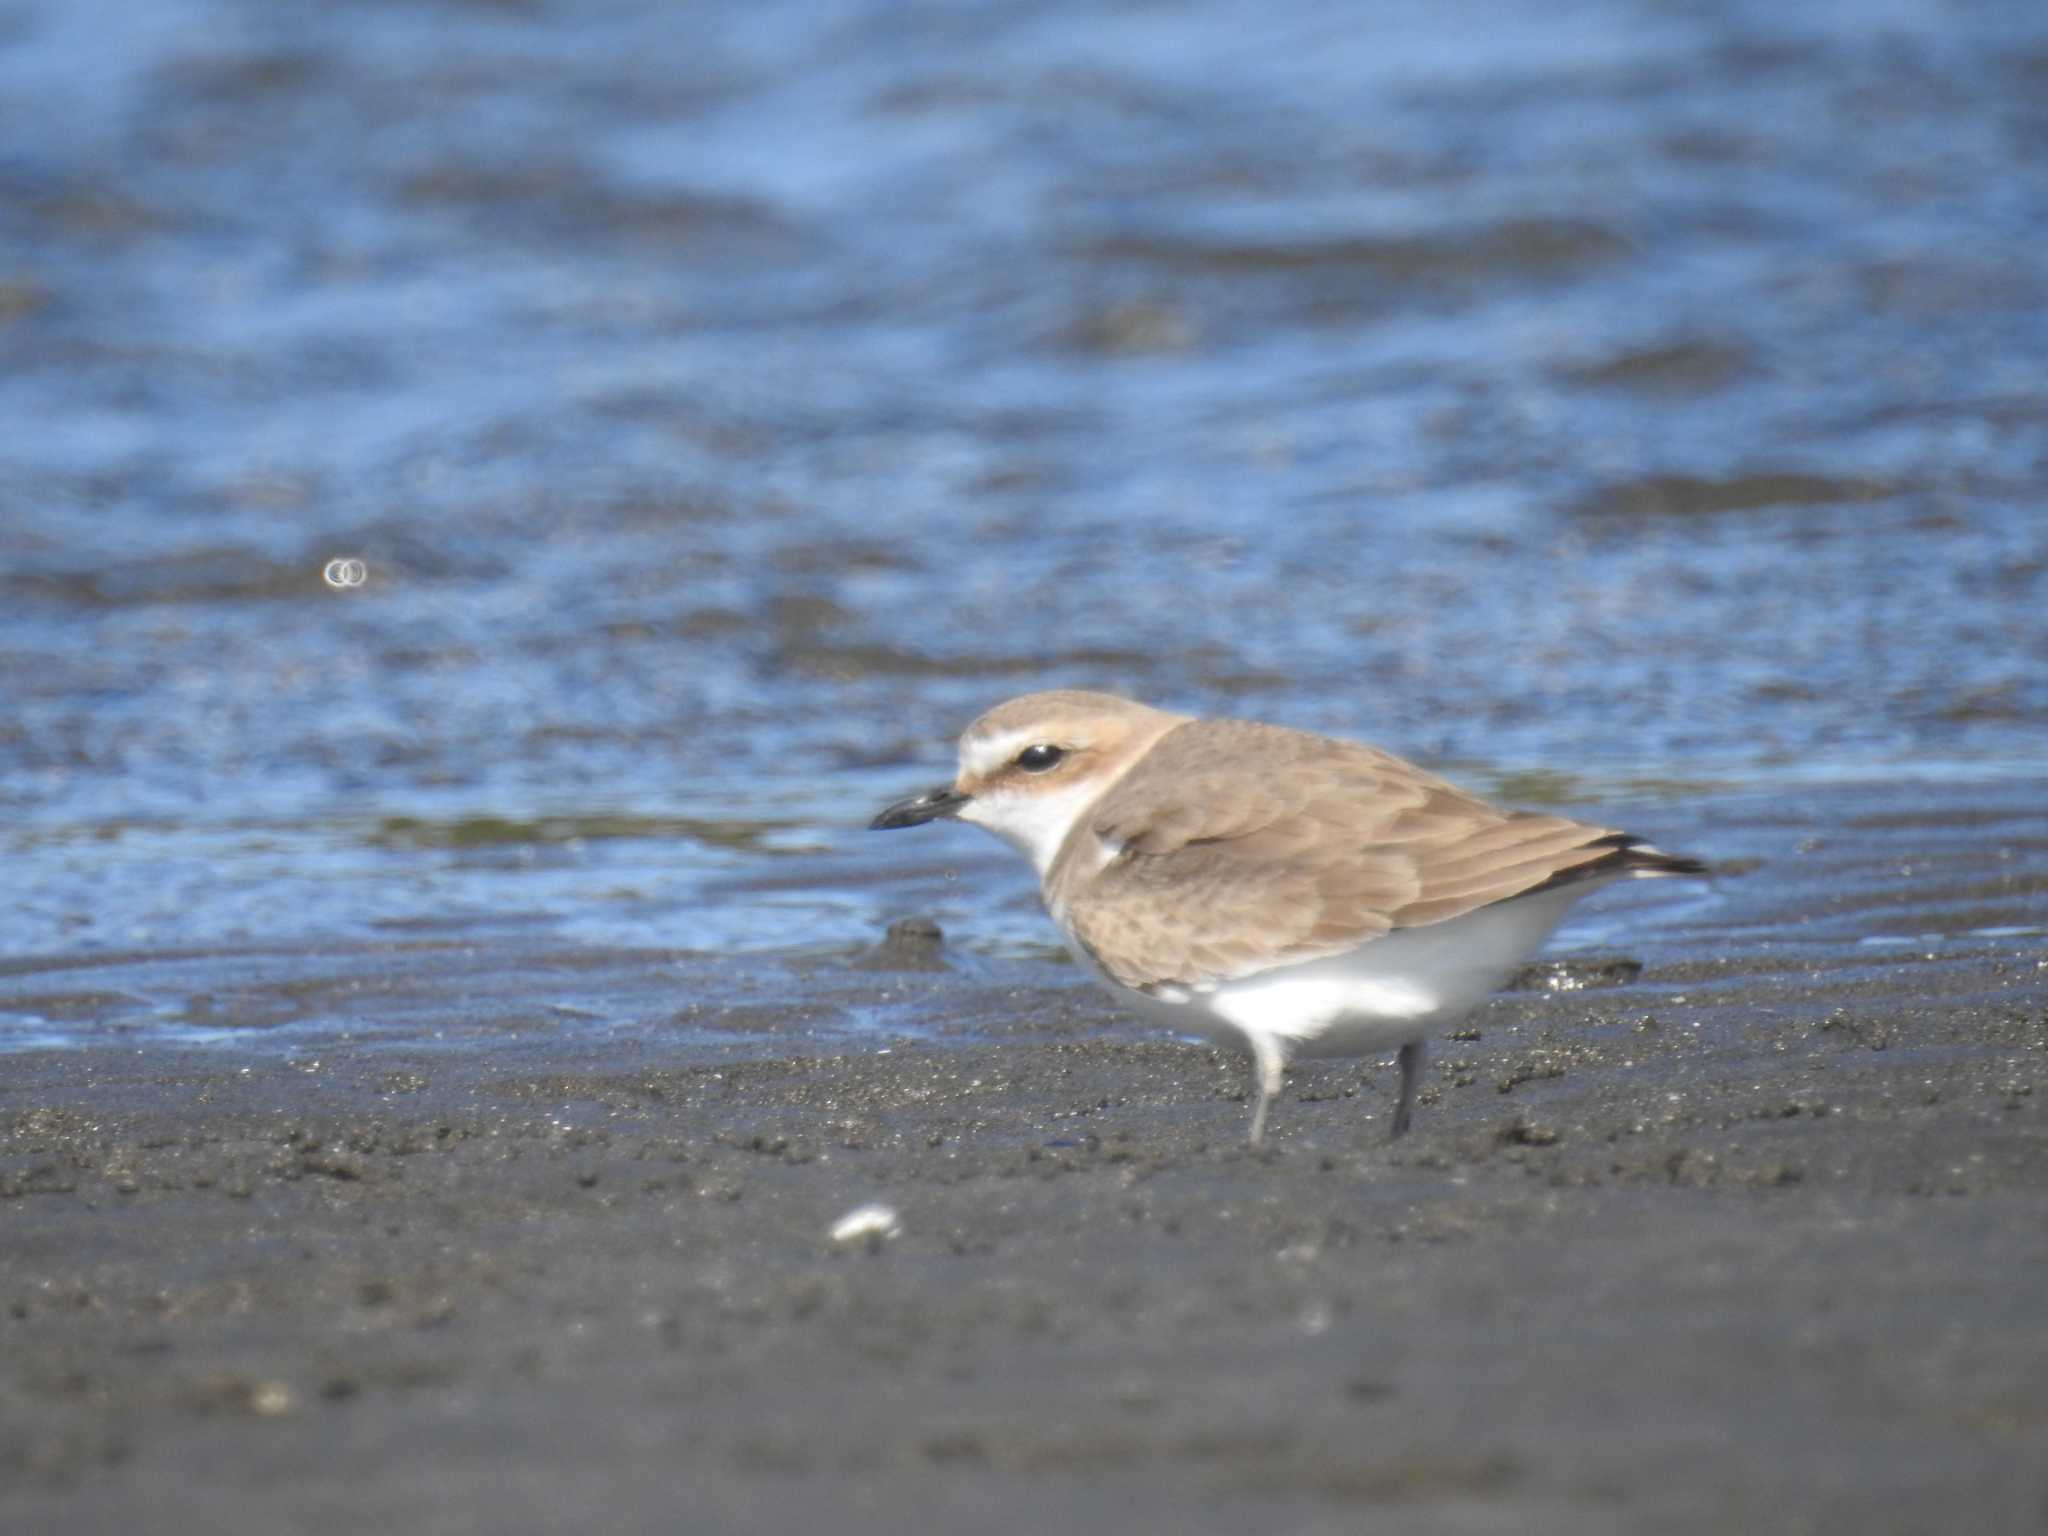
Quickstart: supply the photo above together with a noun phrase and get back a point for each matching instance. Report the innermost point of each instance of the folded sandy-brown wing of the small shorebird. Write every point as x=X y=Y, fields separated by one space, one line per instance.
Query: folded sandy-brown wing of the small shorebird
x=1244 y=847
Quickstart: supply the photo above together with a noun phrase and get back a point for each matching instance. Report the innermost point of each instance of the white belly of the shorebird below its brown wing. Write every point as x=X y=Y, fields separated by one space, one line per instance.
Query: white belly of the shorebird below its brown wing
x=1383 y=994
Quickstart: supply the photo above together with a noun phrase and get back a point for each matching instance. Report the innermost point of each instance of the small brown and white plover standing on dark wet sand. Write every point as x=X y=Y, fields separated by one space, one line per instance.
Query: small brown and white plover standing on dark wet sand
x=1265 y=888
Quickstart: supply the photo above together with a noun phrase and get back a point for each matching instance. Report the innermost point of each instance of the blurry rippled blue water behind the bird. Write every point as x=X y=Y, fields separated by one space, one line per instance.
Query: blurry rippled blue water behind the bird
x=726 y=402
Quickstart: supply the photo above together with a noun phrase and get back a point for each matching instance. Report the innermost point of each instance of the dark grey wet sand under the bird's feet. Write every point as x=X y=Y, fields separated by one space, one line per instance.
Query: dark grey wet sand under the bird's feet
x=1746 y=1240
